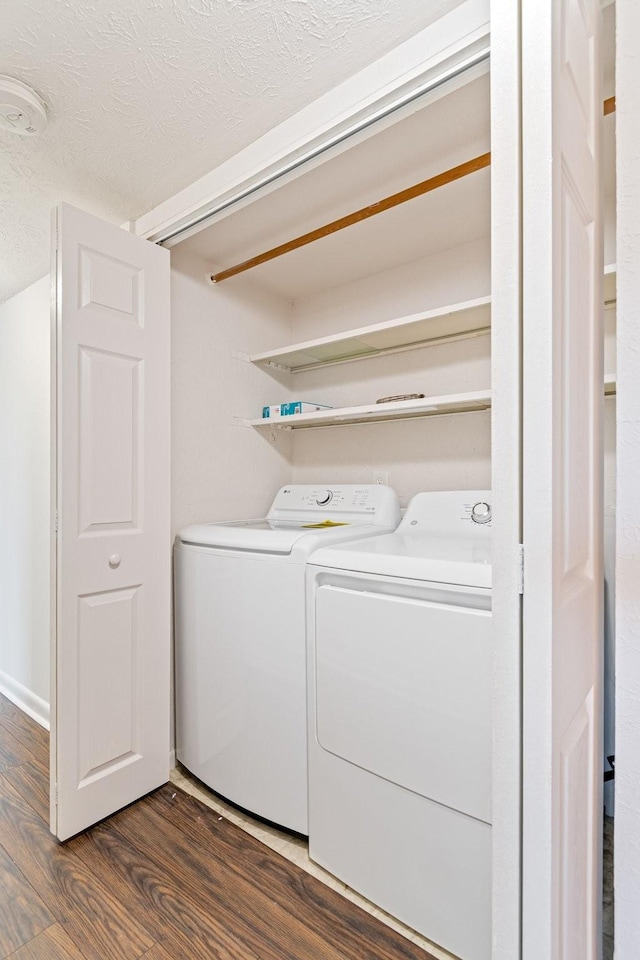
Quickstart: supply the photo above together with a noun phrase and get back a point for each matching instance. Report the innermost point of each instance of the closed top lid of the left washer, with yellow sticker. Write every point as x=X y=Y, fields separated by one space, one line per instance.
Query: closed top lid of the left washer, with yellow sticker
x=265 y=535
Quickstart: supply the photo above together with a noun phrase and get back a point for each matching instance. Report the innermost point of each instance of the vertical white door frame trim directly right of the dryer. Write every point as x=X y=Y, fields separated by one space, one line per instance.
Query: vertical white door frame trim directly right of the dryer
x=506 y=472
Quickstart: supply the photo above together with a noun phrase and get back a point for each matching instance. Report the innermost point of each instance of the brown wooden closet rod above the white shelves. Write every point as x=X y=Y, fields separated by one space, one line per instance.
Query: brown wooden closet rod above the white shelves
x=433 y=183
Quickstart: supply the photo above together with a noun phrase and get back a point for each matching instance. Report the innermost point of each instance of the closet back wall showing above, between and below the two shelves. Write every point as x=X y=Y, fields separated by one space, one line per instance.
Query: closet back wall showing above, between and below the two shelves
x=438 y=453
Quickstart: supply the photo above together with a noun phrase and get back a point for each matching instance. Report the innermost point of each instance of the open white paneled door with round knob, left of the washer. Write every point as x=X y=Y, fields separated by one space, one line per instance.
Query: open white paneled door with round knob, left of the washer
x=111 y=557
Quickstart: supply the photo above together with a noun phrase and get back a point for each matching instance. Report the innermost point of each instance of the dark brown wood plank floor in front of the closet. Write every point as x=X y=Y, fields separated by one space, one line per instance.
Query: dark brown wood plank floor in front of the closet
x=165 y=879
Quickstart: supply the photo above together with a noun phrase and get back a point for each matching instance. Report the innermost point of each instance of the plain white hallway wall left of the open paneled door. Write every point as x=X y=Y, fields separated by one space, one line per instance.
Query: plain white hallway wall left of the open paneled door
x=24 y=498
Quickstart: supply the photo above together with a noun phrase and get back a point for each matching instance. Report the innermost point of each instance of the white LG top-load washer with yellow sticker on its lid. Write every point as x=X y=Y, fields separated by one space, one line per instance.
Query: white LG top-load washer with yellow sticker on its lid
x=241 y=712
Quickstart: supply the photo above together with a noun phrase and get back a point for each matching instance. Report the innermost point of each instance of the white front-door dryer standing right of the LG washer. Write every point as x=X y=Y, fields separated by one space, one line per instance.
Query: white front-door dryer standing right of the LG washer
x=399 y=661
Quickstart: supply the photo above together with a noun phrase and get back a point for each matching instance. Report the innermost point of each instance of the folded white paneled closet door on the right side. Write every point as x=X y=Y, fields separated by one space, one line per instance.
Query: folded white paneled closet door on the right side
x=562 y=499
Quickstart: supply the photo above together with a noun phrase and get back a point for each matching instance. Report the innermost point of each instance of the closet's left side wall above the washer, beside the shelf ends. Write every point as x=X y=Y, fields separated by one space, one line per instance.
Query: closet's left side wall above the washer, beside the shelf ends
x=221 y=470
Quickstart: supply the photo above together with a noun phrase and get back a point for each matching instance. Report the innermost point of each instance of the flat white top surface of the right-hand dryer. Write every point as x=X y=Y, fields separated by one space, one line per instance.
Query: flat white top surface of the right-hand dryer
x=414 y=556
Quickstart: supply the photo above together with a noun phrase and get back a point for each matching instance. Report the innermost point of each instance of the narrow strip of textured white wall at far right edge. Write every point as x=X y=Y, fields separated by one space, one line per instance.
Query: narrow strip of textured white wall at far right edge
x=627 y=822
